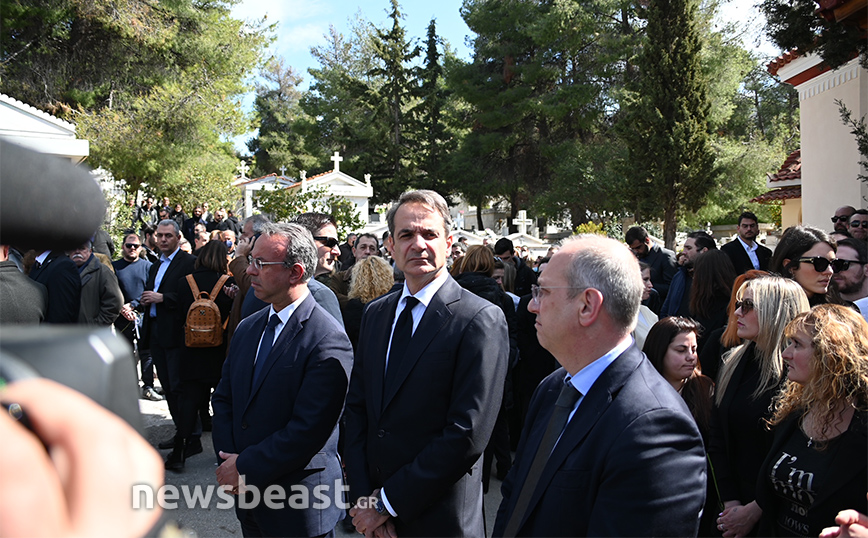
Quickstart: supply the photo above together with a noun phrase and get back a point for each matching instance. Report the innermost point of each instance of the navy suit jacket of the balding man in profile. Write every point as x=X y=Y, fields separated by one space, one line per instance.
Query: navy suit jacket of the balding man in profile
x=629 y=463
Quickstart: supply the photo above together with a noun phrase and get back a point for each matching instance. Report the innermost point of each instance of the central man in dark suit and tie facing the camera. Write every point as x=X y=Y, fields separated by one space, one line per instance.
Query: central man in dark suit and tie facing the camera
x=426 y=388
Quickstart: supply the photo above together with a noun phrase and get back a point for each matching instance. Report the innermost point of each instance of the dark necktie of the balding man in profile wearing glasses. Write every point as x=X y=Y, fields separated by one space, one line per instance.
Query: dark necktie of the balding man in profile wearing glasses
x=563 y=407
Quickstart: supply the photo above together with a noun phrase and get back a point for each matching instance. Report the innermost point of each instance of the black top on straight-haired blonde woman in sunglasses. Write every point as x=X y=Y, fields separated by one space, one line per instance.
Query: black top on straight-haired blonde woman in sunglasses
x=740 y=440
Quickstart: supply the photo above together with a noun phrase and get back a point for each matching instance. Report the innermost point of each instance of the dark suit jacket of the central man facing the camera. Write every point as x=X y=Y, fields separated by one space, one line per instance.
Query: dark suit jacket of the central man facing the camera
x=421 y=439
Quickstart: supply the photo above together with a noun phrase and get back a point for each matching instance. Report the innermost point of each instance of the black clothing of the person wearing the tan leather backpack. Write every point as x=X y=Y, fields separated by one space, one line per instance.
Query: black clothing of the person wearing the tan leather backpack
x=200 y=368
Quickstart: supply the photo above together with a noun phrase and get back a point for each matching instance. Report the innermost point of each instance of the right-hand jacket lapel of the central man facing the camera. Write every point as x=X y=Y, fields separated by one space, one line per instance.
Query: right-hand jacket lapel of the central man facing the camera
x=436 y=315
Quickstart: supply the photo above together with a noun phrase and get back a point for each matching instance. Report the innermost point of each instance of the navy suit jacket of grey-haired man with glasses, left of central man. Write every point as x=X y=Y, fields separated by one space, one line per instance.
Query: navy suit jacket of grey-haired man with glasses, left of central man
x=284 y=428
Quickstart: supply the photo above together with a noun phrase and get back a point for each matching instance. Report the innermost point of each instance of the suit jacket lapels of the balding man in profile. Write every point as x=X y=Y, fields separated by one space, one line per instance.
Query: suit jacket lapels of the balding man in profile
x=591 y=408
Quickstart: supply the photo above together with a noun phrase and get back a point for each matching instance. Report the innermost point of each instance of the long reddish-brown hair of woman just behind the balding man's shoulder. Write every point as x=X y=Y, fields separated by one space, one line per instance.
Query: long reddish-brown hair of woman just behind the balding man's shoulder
x=698 y=389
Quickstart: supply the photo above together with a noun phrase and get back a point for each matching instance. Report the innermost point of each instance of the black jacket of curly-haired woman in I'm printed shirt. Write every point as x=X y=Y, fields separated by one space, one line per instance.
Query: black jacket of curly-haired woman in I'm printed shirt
x=841 y=488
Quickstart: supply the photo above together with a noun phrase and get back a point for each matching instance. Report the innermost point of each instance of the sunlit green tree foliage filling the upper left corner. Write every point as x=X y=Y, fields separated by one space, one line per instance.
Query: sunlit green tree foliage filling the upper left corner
x=154 y=86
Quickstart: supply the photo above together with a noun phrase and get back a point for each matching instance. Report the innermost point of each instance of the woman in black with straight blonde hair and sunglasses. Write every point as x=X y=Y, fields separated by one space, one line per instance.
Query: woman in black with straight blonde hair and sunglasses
x=749 y=378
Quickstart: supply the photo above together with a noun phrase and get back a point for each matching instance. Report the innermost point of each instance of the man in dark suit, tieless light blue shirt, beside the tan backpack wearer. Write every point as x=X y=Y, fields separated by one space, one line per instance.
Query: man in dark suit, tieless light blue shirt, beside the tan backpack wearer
x=165 y=320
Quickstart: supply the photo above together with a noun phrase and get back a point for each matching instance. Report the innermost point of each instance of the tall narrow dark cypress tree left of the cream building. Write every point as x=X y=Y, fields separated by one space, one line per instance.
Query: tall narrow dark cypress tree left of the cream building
x=671 y=162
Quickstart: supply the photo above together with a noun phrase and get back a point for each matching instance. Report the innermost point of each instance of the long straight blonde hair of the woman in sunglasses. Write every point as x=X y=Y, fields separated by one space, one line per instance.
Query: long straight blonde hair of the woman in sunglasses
x=777 y=301
